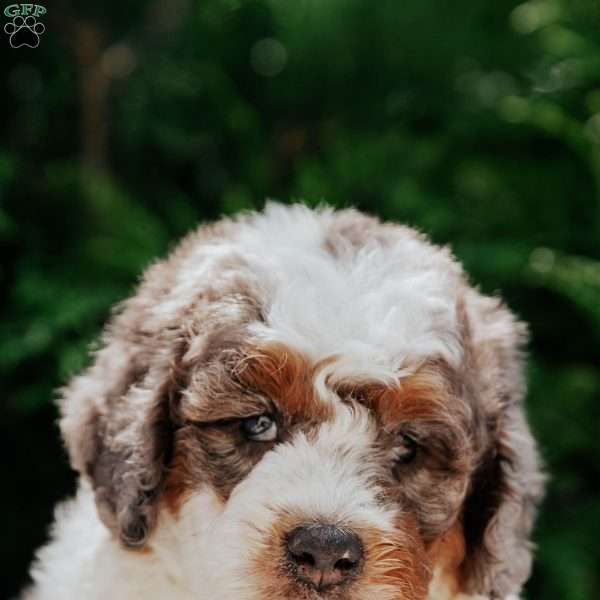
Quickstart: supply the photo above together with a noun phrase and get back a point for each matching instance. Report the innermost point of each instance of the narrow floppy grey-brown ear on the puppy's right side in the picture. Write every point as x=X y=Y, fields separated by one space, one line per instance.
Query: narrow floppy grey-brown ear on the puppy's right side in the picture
x=508 y=484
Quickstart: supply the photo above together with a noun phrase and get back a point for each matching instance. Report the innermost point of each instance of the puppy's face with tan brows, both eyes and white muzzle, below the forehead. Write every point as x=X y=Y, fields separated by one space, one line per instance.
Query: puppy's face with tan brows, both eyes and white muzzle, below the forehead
x=327 y=488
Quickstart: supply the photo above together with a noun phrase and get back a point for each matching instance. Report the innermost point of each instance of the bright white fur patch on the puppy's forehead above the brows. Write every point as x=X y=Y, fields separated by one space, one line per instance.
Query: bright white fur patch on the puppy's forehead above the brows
x=379 y=304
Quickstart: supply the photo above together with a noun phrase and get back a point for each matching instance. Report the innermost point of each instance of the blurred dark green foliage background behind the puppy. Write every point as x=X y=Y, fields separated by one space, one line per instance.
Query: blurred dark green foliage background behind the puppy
x=476 y=121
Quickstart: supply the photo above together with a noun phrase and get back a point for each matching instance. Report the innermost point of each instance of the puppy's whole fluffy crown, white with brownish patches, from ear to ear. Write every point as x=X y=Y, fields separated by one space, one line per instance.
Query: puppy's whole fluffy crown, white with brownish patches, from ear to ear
x=382 y=299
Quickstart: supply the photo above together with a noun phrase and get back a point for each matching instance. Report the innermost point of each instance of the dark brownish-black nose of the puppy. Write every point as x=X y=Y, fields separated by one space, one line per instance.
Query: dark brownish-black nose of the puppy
x=324 y=555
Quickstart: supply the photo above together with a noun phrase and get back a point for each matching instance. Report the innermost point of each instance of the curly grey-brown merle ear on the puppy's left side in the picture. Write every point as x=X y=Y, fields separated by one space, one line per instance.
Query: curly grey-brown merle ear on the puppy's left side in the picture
x=117 y=427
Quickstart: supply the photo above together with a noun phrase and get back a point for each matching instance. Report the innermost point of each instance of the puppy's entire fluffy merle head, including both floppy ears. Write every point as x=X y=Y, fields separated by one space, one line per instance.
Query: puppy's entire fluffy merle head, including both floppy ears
x=312 y=405
